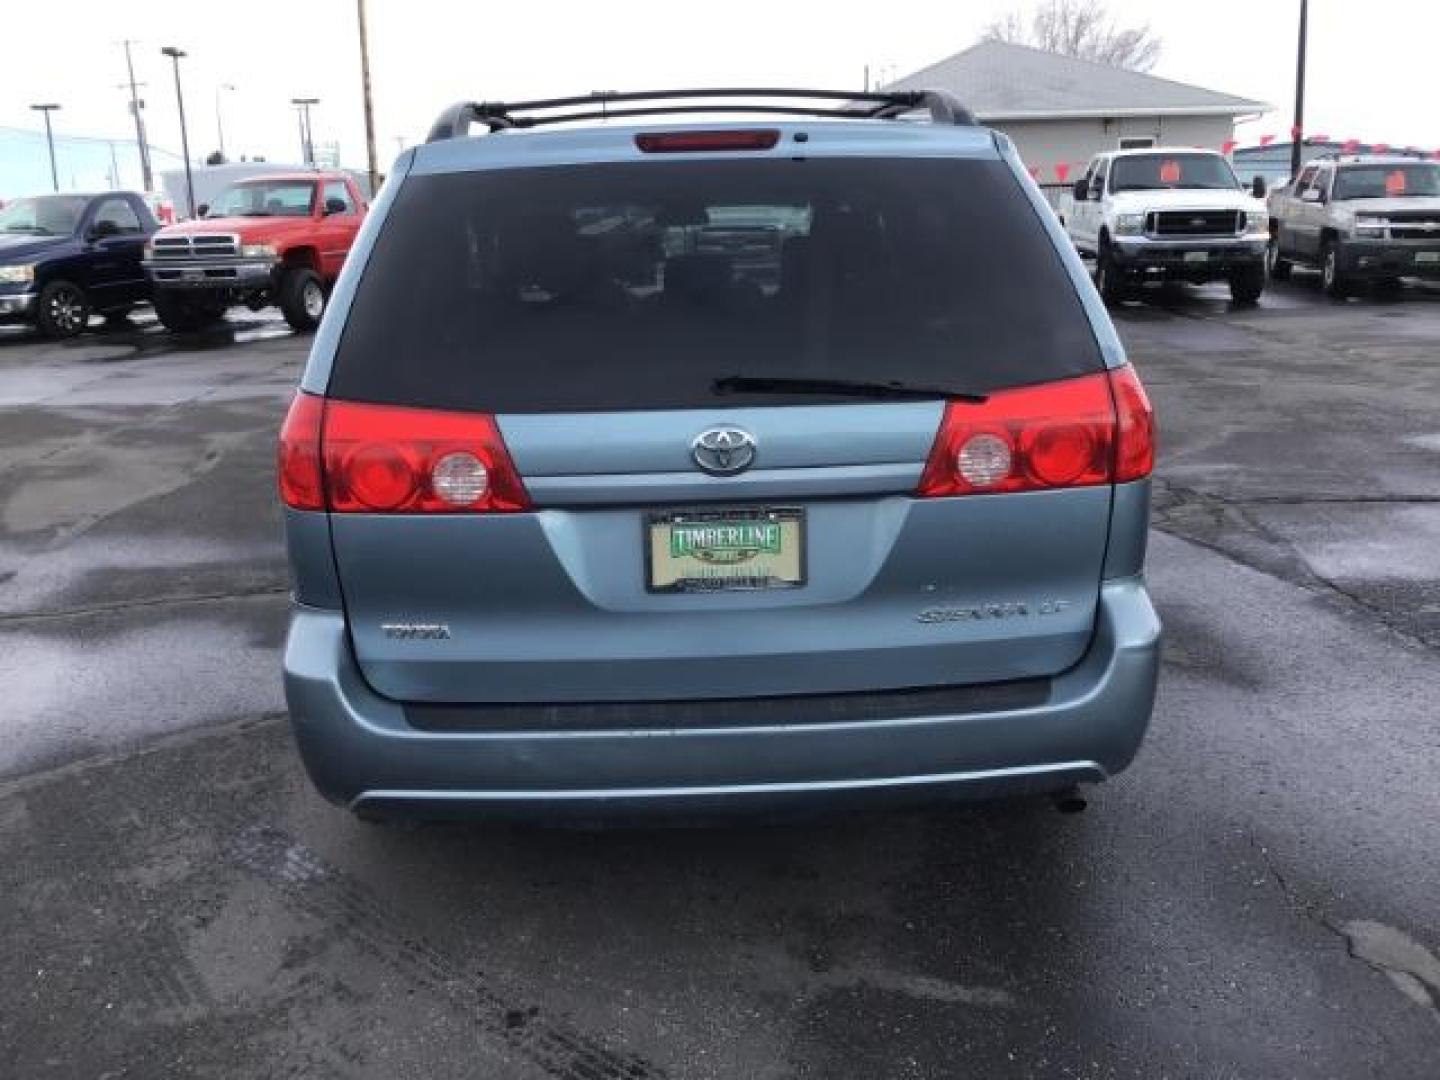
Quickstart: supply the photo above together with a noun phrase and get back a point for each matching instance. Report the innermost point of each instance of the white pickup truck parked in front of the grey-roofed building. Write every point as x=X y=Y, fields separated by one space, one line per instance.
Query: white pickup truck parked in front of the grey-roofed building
x=1169 y=215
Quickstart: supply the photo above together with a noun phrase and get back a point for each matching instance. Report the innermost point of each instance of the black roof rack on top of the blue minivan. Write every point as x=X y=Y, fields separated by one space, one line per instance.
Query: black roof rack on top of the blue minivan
x=456 y=122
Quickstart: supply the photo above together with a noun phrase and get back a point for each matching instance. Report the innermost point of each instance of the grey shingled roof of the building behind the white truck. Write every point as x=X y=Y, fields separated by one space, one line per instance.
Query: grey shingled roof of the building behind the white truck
x=1002 y=81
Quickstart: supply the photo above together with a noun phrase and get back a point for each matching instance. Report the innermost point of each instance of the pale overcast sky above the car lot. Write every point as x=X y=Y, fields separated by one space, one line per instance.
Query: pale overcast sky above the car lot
x=1372 y=66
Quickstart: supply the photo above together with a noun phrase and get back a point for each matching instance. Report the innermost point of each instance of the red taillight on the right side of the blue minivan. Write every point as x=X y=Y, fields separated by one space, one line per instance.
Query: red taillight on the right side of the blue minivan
x=1078 y=433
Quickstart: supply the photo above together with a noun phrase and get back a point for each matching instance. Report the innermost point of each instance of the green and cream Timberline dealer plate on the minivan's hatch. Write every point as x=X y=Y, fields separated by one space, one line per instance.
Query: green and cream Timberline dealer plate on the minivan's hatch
x=721 y=551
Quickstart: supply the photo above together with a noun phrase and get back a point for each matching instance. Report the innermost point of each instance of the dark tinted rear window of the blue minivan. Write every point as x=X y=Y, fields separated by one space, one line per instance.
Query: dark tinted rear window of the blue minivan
x=639 y=286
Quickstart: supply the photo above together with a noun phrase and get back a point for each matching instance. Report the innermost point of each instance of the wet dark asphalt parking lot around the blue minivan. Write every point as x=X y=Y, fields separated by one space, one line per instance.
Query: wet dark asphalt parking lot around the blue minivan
x=1258 y=898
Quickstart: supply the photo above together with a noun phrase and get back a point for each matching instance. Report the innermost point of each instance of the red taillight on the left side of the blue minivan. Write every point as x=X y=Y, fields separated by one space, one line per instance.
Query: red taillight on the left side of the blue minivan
x=387 y=460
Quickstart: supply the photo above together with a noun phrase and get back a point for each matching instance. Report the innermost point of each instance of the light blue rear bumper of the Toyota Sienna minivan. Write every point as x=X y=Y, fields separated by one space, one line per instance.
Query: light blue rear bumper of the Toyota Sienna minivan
x=362 y=752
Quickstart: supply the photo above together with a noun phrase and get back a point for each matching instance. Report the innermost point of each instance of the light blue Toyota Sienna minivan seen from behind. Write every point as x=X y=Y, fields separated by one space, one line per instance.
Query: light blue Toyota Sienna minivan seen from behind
x=667 y=467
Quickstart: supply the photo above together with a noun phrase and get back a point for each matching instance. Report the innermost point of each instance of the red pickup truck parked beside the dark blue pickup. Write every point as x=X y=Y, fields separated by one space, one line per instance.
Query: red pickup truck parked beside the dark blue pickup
x=271 y=240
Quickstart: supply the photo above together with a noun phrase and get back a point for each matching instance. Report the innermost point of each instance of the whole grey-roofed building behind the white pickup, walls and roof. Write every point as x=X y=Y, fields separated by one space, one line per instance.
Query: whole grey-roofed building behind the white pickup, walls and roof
x=1062 y=112
